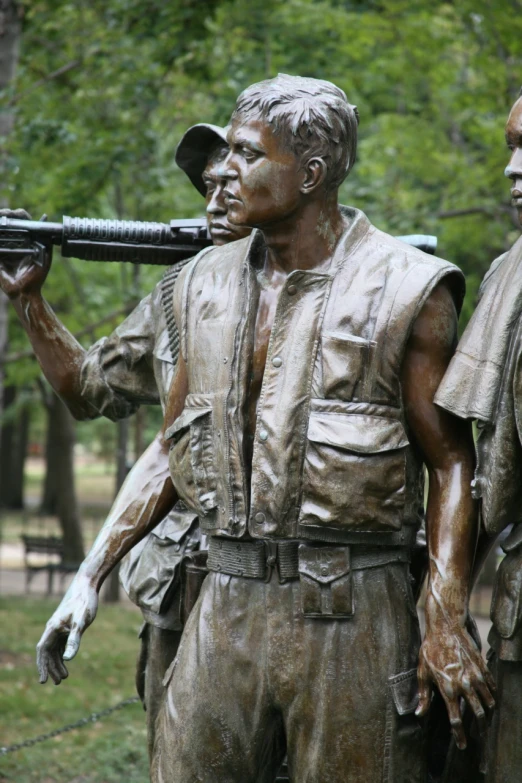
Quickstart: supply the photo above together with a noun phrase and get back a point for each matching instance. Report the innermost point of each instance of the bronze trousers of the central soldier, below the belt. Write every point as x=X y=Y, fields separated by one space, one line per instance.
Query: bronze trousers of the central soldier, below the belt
x=253 y=677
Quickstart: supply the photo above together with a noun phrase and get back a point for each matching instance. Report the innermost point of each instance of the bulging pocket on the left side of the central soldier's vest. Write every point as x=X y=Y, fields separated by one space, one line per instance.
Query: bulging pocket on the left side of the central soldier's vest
x=191 y=458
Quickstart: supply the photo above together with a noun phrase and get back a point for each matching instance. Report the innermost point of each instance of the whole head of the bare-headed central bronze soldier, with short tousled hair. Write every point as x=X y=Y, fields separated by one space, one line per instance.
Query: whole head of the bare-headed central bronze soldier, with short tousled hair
x=291 y=139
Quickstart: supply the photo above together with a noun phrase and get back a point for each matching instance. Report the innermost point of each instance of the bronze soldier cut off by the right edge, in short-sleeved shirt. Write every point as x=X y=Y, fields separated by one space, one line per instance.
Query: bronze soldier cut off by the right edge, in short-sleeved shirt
x=484 y=382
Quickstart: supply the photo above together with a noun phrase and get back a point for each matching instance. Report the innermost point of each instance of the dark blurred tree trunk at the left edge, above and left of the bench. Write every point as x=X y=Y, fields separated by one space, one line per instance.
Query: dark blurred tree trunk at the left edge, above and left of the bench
x=13 y=450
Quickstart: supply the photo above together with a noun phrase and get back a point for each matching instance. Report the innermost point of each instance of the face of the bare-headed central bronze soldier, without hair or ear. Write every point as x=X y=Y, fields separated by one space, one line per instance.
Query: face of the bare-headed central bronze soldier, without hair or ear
x=263 y=177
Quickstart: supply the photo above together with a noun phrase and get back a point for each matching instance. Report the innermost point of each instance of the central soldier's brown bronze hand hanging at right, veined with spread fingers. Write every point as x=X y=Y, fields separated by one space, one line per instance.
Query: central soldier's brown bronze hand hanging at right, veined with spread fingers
x=451 y=659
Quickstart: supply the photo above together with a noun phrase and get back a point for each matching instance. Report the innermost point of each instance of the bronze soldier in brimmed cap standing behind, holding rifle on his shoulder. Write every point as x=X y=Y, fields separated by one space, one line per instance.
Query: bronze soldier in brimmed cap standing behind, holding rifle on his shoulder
x=133 y=366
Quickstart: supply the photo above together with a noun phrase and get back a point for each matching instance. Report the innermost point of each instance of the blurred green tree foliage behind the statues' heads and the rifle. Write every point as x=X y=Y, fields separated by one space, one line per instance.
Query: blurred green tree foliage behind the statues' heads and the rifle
x=433 y=83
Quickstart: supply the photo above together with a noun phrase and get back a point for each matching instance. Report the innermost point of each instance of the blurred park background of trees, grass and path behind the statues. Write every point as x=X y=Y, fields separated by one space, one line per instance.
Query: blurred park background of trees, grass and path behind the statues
x=93 y=100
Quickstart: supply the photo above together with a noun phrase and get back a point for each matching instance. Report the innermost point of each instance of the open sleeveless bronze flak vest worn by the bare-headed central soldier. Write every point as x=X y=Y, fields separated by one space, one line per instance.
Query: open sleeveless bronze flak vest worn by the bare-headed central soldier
x=332 y=457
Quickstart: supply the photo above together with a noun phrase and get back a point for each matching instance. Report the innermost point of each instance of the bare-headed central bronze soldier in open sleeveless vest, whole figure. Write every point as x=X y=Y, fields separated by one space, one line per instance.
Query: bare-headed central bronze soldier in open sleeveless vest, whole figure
x=301 y=415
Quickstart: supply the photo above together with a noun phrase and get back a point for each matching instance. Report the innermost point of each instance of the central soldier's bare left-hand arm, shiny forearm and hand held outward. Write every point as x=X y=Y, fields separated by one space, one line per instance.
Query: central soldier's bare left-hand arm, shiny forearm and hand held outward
x=144 y=500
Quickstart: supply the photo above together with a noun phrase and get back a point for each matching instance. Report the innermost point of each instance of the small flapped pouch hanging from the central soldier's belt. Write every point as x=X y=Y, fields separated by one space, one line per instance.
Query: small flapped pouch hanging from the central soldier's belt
x=326 y=581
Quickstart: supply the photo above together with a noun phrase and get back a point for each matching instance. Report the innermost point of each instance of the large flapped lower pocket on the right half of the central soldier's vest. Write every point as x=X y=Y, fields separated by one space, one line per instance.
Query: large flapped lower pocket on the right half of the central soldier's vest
x=355 y=467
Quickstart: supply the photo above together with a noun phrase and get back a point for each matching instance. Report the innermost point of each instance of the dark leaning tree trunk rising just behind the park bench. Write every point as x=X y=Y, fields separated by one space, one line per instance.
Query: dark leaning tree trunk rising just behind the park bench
x=60 y=441
